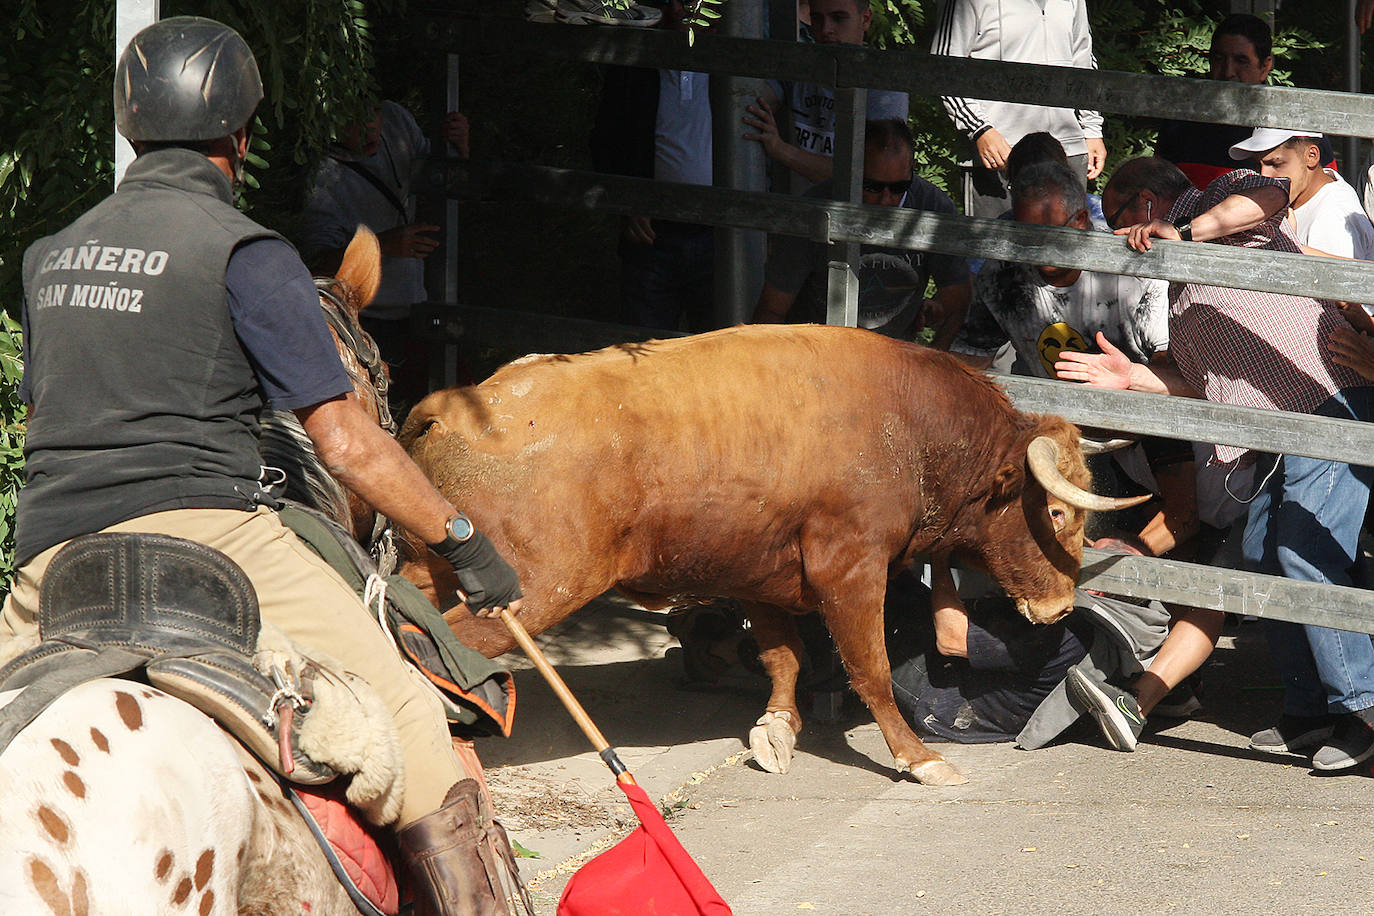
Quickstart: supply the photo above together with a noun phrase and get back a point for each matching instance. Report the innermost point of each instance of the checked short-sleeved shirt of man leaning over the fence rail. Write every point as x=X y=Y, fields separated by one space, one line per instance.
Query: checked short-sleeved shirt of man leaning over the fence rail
x=1248 y=348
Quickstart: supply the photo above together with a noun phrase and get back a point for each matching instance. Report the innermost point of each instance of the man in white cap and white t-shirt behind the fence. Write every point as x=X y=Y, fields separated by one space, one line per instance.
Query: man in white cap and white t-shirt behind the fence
x=1325 y=212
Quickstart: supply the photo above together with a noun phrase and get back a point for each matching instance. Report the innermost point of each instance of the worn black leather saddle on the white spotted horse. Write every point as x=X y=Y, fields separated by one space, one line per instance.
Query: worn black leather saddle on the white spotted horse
x=179 y=615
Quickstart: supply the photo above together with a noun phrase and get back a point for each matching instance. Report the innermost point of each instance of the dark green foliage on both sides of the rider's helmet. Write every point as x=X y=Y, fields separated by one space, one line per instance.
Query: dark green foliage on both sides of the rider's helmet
x=57 y=152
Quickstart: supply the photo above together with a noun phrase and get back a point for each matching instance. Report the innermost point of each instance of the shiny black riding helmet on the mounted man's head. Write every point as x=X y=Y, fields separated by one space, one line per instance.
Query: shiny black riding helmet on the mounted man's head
x=186 y=79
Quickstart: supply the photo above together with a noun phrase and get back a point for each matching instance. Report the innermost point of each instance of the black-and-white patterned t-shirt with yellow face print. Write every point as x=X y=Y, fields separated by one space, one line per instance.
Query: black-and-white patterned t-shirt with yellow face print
x=1012 y=301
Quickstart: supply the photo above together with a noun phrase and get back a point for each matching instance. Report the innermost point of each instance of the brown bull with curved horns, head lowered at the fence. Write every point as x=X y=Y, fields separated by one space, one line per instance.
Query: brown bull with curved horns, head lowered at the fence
x=795 y=469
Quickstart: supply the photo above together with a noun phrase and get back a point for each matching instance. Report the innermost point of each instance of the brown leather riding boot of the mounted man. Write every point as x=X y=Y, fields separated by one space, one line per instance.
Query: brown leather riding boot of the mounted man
x=450 y=859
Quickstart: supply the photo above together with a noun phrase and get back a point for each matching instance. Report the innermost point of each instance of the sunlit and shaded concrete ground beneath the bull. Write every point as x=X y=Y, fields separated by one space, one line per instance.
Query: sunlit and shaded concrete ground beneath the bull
x=1191 y=823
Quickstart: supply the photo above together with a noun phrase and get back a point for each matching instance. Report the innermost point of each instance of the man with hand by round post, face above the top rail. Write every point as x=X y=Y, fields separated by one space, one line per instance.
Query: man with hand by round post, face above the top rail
x=813 y=108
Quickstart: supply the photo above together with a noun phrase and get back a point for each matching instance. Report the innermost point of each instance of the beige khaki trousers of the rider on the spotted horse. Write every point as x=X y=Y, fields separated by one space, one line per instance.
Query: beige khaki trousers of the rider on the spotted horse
x=308 y=601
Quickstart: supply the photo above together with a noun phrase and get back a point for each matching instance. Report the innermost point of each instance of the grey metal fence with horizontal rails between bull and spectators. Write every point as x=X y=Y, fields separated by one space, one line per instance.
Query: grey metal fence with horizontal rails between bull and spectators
x=843 y=223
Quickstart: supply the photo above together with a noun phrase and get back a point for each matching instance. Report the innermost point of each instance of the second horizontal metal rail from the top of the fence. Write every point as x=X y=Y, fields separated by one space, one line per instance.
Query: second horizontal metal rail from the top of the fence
x=829 y=222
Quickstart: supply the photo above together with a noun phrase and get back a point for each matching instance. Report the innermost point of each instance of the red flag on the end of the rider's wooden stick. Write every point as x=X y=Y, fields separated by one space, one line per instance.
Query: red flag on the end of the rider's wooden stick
x=649 y=873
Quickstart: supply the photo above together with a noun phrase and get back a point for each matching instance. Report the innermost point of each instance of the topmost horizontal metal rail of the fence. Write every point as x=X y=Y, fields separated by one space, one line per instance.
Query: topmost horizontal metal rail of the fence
x=920 y=73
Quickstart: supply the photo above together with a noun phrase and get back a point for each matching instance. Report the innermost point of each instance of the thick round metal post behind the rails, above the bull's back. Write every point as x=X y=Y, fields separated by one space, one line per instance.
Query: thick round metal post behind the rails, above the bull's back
x=739 y=164
